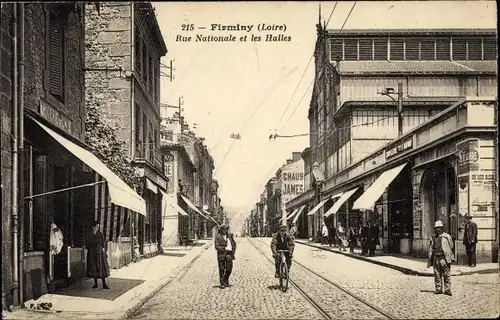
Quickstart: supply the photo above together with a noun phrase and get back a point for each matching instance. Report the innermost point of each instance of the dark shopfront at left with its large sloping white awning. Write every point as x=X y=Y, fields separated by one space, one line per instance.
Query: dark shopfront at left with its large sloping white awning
x=68 y=187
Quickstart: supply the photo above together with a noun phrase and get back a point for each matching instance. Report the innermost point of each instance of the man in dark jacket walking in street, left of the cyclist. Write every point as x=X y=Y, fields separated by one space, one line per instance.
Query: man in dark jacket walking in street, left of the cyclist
x=226 y=249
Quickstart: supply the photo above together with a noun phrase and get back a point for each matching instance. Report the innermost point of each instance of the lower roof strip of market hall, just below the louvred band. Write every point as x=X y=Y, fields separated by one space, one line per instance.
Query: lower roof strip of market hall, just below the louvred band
x=417 y=67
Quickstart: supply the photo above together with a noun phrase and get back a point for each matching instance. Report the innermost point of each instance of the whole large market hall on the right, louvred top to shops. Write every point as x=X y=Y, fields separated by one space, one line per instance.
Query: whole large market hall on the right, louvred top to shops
x=446 y=77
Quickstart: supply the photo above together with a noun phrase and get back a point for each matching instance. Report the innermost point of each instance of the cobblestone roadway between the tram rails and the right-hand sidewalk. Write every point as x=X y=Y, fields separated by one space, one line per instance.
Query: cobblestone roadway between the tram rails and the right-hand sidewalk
x=403 y=296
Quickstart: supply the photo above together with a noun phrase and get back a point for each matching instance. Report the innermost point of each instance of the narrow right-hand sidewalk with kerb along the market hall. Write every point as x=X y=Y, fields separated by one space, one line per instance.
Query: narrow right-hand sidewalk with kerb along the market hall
x=406 y=265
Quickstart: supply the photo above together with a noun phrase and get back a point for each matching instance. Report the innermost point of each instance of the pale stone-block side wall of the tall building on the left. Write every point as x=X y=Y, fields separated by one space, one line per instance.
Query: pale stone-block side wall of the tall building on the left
x=108 y=50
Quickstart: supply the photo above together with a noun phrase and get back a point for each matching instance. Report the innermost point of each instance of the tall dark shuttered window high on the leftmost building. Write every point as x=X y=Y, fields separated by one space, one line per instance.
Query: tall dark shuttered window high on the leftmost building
x=56 y=63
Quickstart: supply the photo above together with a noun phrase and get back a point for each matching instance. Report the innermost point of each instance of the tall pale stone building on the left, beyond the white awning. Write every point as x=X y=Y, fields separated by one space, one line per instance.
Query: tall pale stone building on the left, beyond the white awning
x=122 y=74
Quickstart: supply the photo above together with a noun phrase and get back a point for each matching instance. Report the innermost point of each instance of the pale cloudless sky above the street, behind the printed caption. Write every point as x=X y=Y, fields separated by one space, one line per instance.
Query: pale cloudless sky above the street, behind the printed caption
x=248 y=87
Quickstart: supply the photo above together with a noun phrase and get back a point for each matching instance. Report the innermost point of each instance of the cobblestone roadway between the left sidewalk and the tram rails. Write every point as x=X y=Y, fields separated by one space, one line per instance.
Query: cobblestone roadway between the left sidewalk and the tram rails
x=252 y=294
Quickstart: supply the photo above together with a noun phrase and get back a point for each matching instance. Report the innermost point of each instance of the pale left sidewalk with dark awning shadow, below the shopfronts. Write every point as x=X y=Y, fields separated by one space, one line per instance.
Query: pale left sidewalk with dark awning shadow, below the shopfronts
x=131 y=286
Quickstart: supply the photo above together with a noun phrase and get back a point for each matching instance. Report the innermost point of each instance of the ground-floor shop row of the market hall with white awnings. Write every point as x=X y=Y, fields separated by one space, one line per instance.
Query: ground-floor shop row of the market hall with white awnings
x=440 y=170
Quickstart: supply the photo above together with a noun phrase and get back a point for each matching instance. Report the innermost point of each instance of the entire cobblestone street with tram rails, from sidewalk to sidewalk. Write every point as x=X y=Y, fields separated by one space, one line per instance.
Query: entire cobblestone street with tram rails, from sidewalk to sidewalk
x=252 y=294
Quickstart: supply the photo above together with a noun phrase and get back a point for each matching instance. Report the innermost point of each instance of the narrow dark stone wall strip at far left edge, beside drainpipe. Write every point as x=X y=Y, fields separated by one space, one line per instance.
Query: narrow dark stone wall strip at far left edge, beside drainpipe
x=6 y=145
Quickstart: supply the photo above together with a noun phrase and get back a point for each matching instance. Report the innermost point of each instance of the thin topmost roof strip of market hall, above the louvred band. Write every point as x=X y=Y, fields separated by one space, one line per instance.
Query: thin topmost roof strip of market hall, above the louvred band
x=385 y=32
